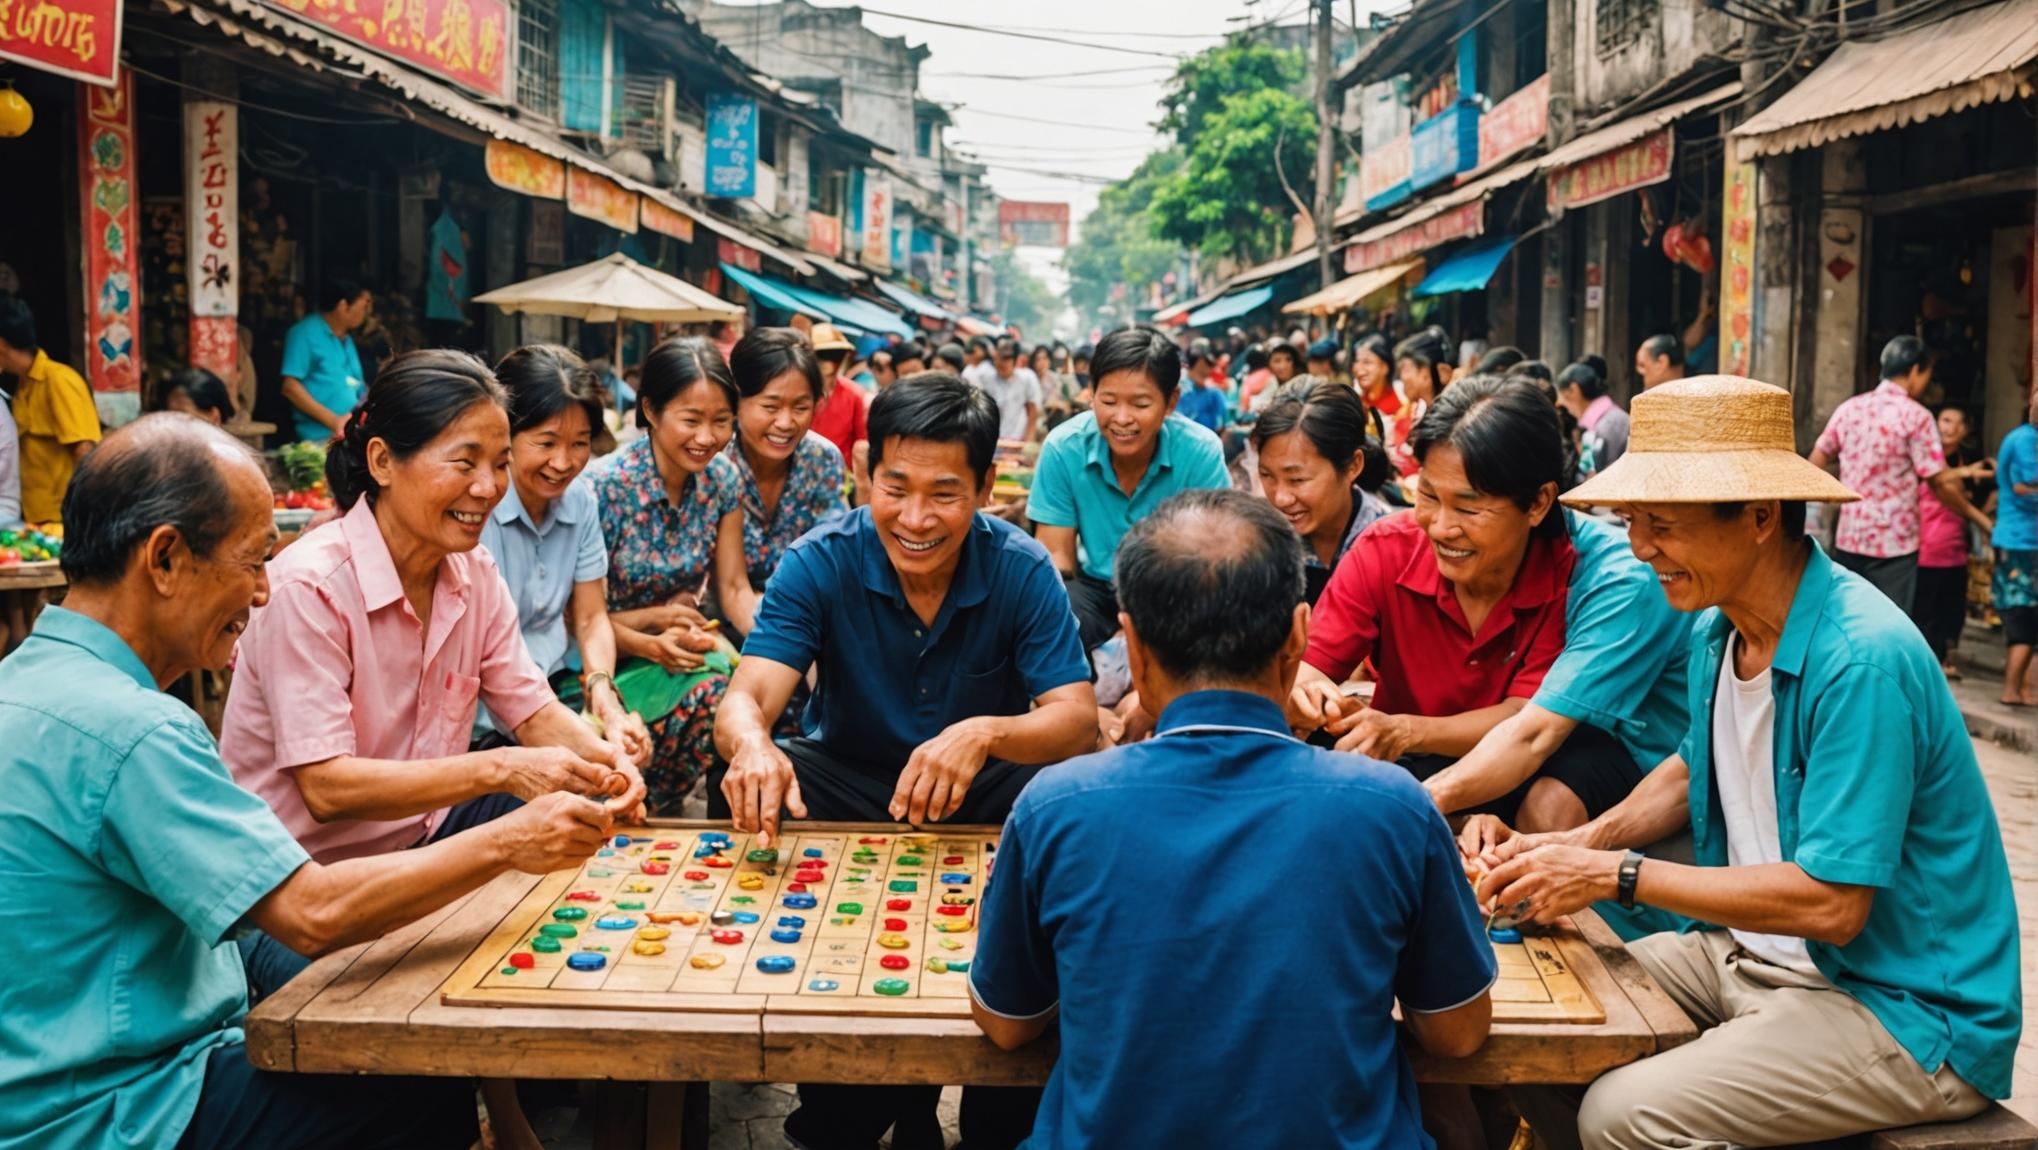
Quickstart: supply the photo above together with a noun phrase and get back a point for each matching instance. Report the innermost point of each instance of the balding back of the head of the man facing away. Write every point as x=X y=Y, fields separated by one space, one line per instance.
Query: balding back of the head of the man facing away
x=1212 y=582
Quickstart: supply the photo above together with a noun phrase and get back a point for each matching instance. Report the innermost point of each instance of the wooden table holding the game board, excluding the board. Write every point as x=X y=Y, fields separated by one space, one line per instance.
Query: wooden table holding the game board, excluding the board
x=378 y=1010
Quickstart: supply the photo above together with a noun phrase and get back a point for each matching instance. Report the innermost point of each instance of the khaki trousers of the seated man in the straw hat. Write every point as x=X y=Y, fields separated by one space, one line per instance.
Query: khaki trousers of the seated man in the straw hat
x=1780 y=1059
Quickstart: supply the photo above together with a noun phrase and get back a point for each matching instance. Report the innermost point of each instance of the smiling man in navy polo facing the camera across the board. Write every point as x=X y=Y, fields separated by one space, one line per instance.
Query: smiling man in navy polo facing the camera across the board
x=949 y=672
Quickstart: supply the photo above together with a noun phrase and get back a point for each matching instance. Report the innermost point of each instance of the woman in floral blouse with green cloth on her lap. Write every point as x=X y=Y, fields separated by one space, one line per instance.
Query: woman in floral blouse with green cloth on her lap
x=674 y=523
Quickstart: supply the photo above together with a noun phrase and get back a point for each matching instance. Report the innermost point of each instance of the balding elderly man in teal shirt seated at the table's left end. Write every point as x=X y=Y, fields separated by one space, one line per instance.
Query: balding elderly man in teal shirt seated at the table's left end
x=129 y=857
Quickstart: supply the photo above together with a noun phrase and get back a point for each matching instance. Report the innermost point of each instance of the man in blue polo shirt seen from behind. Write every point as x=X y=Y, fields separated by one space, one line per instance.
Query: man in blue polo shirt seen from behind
x=1224 y=912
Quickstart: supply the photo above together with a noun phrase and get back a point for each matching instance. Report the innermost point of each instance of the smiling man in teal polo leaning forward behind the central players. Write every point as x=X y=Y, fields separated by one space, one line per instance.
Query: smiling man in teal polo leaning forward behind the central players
x=1108 y=468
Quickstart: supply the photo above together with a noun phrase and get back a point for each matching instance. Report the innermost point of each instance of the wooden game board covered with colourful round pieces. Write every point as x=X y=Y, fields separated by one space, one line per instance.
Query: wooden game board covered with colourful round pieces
x=914 y=892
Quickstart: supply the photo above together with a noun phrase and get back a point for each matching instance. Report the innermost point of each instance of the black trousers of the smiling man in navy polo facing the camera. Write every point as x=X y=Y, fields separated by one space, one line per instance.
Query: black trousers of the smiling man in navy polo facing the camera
x=839 y=788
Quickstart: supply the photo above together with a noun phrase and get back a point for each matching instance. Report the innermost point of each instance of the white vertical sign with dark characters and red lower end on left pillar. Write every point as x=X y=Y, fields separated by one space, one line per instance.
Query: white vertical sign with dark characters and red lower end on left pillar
x=213 y=231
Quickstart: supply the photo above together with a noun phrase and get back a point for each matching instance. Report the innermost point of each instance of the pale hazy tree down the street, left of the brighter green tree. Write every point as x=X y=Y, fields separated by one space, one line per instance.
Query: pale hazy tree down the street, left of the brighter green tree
x=1118 y=250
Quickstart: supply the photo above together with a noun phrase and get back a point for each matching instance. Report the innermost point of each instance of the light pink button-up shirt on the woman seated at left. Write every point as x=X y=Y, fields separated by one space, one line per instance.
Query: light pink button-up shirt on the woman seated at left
x=337 y=664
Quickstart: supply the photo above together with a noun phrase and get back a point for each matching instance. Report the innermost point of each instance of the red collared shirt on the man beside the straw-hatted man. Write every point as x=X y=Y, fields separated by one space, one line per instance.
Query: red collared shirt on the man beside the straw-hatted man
x=1389 y=603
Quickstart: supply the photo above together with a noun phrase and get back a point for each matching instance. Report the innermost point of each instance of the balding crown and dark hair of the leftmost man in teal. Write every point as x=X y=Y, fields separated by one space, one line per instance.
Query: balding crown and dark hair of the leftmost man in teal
x=164 y=470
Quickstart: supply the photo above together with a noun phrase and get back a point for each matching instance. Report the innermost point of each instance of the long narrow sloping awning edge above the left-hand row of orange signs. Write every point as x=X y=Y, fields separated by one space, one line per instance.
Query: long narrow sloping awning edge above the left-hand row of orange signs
x=242 y=19
